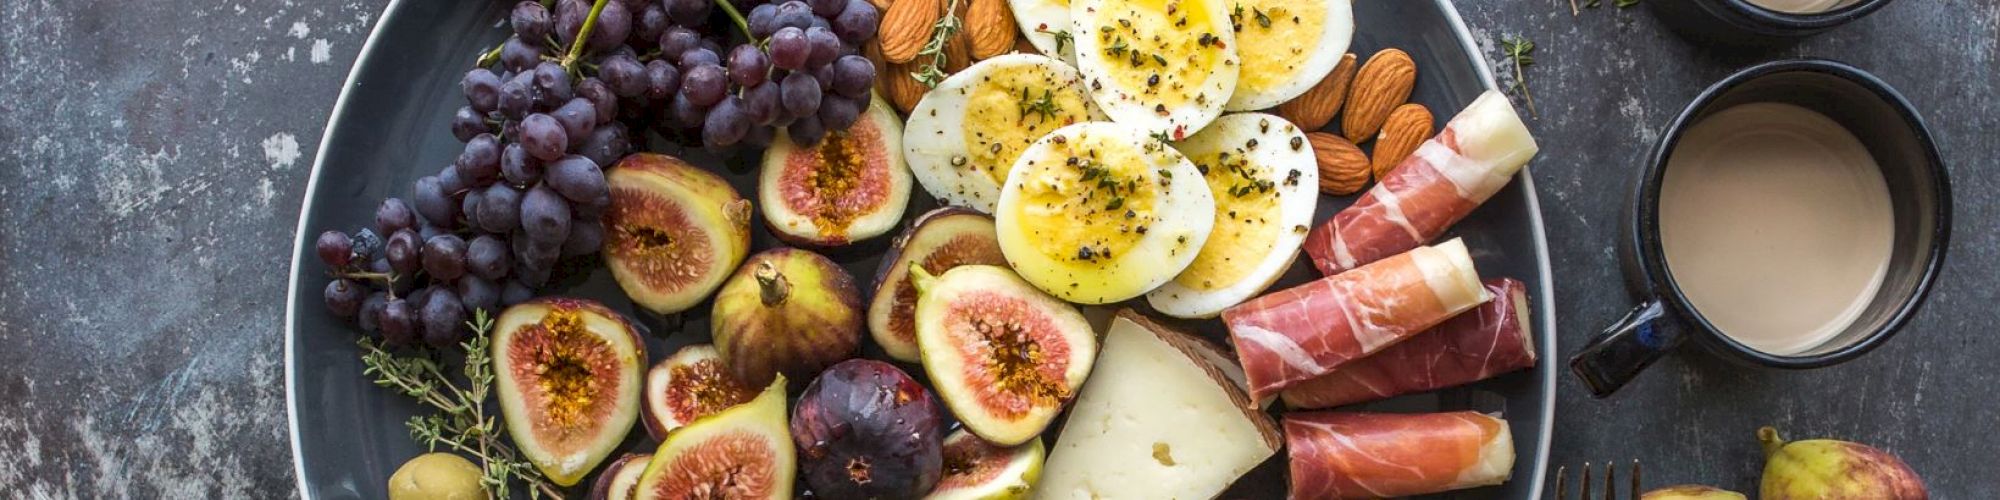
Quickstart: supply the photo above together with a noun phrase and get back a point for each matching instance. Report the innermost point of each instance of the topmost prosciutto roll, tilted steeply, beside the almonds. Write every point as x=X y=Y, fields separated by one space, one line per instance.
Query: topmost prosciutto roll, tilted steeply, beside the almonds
x=1431 y=191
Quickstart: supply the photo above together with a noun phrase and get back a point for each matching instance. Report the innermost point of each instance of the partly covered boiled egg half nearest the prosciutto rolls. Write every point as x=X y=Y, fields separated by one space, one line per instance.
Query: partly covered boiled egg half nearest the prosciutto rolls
x=1265 y=181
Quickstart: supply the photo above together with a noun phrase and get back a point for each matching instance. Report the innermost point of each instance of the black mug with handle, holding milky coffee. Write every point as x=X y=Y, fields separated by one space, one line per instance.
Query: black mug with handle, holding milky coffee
x=1919 y=191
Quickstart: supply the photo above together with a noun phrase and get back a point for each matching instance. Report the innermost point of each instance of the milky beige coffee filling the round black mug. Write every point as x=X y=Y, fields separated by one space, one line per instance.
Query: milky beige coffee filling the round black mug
x=1777 y=225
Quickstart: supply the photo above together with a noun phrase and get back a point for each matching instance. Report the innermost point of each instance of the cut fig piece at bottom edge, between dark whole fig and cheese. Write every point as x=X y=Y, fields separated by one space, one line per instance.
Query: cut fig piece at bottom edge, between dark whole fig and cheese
x=983 y=471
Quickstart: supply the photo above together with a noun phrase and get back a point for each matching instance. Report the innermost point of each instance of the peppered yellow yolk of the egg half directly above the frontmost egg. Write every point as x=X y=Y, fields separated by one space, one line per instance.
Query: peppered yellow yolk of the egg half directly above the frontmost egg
x=1161 y=49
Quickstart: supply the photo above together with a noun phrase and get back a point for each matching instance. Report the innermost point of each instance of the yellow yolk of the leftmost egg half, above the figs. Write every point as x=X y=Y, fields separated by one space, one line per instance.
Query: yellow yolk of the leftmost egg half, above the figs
x=1009 y=111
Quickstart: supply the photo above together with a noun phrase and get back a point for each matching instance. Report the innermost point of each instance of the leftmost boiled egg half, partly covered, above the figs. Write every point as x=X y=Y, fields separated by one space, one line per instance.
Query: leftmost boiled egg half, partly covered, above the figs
x=969 y=131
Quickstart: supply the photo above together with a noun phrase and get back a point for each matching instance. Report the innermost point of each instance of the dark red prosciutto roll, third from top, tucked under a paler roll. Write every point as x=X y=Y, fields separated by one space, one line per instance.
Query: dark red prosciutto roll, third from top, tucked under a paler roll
x=1483 y=343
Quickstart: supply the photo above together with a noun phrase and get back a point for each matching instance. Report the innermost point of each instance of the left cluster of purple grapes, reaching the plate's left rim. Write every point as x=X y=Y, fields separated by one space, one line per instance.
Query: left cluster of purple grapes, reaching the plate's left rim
x=525 y=191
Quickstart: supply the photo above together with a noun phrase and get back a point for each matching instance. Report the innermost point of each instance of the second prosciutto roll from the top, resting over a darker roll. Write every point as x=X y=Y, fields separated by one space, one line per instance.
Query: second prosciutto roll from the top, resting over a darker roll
x=1313 y=329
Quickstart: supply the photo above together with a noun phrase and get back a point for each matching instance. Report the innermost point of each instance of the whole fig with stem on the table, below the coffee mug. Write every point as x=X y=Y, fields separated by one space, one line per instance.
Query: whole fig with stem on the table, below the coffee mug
x=1833 y=469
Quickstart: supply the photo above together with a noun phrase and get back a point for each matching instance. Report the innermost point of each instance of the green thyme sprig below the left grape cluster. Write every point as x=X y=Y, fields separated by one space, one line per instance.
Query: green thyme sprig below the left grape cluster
x=463 y=423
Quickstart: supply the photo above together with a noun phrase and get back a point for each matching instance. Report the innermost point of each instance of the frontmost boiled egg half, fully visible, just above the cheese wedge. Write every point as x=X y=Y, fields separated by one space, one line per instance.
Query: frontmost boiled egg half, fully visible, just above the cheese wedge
x=1103 y=213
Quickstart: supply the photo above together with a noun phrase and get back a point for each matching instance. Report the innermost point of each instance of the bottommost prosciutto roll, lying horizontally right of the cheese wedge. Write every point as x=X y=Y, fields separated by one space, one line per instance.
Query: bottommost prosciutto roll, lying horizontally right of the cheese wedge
x=1353 y=455
